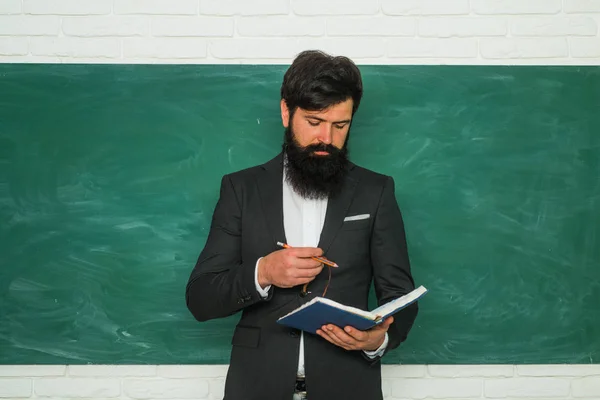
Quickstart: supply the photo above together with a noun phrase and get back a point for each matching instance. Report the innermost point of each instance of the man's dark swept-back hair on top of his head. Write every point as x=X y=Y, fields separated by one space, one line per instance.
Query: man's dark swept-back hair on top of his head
x=316 y=80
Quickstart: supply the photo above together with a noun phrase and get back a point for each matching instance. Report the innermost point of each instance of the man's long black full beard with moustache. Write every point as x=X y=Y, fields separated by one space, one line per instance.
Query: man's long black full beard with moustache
x=314 y=176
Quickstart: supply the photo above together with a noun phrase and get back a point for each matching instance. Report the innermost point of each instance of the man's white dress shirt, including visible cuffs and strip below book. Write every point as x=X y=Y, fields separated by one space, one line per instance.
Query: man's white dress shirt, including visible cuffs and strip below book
x=303 y=221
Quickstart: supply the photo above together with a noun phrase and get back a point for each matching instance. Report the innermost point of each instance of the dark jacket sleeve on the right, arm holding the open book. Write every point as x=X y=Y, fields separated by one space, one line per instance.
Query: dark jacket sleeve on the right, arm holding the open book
x=391 y=265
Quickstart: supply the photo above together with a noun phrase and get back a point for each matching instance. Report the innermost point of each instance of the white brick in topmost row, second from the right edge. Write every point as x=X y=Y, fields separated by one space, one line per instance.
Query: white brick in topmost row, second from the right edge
x=516 y=7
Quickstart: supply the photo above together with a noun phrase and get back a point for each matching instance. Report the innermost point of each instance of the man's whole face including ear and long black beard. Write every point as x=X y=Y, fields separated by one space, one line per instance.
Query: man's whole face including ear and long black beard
x=315 y=145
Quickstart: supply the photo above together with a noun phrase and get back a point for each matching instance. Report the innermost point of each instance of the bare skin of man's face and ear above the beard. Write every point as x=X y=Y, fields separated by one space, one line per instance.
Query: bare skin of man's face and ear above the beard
x=326 y=127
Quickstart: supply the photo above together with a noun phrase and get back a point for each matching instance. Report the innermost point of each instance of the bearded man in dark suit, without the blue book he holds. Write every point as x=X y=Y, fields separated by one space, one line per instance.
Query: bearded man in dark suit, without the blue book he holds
x=313 y=198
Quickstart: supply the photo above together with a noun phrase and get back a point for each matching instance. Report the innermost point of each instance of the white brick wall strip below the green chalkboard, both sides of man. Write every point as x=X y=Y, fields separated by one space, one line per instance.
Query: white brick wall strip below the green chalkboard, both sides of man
x=400 y=382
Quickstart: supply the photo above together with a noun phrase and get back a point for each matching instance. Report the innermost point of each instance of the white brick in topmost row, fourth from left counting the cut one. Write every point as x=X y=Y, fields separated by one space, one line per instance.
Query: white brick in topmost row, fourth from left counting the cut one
x=244 y=7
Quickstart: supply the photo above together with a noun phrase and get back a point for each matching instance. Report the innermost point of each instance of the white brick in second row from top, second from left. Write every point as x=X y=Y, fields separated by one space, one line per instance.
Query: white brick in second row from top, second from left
x=105 y=26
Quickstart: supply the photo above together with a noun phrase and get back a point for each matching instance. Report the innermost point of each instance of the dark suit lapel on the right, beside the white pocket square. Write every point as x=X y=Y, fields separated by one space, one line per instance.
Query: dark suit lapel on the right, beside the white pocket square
x=337 y=208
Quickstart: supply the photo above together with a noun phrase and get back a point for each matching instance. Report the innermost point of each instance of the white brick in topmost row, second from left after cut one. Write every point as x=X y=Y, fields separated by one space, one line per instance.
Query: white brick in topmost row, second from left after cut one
x=67 y=7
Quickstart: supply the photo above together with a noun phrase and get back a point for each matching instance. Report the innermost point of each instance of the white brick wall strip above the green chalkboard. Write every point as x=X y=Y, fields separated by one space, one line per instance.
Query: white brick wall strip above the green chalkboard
x=274 y=31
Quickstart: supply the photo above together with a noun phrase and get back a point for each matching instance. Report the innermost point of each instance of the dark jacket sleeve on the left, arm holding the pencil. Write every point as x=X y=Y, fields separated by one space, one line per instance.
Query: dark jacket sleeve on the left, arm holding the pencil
x=221 y=284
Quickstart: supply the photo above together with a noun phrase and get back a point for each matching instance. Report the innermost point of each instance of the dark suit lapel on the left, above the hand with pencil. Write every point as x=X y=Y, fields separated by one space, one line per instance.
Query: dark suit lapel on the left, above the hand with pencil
x=270 y=187
